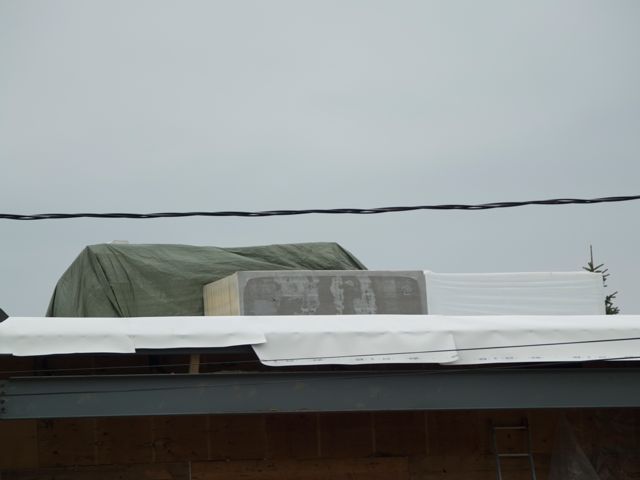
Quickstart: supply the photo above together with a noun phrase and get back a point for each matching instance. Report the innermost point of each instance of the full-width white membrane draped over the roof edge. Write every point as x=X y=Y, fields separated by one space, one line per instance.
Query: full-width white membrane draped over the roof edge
x=341 y=339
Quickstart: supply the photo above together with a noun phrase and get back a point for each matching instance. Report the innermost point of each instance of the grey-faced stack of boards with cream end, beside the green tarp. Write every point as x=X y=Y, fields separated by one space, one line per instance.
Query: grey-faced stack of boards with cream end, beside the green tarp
x=317 y=292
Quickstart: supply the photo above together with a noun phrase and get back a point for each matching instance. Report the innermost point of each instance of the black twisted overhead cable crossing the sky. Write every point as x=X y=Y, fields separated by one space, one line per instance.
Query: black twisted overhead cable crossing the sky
x=333 y=211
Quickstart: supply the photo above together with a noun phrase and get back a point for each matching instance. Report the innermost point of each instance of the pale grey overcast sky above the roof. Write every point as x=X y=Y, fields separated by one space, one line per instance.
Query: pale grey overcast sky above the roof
x=200 y=105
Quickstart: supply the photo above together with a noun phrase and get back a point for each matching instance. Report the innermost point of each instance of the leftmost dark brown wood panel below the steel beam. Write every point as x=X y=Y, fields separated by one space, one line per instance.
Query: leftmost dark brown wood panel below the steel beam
x=18 y=444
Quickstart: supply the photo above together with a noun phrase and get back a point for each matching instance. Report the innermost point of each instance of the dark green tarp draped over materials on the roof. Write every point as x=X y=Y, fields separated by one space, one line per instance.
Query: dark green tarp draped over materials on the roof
x=120 y=280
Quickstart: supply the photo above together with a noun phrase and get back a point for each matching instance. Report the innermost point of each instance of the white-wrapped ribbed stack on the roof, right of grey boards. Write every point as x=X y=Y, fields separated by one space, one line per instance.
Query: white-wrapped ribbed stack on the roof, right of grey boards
x=557 y=293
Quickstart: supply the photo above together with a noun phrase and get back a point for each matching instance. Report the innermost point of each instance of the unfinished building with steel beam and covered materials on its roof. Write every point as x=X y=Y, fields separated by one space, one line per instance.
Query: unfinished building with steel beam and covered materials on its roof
x=295 y=362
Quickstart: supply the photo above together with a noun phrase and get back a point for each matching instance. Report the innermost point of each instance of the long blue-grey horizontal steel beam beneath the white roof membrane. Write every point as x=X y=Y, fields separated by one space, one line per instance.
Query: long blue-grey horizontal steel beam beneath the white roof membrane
x=110 y=395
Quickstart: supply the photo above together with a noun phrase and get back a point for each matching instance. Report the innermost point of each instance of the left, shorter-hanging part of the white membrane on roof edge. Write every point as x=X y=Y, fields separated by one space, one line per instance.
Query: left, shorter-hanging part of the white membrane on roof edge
x=23 y=336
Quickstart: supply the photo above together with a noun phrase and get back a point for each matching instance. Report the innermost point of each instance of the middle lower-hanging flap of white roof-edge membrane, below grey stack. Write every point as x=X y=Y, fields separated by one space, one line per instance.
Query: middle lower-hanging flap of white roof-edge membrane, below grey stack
x=353 y=339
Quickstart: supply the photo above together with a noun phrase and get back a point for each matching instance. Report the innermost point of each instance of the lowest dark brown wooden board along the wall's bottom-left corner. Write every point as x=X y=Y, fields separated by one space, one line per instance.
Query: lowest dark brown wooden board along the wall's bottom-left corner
x=104 y=472
